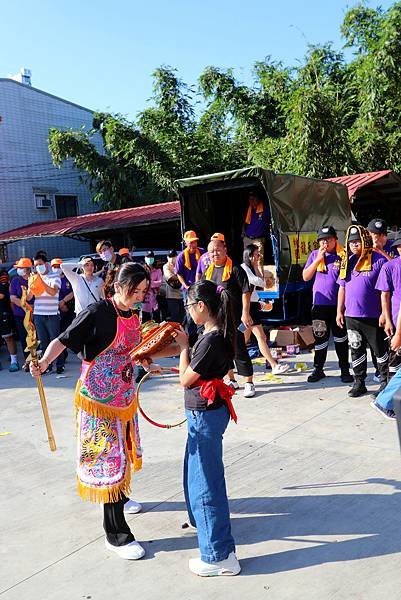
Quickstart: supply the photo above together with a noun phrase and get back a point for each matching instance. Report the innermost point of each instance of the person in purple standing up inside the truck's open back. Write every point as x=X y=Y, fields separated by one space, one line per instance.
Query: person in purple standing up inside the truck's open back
x=256 y=224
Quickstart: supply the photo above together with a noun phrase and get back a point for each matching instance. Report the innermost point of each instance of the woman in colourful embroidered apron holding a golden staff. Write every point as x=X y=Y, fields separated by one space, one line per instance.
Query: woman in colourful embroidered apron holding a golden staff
x=106 y=409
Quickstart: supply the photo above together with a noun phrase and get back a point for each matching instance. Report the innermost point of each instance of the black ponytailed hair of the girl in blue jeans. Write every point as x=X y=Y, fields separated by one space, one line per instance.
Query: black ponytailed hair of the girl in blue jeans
x=219 y=304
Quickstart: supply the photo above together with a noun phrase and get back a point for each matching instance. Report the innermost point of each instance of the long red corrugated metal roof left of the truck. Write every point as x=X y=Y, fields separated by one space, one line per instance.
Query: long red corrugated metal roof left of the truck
x=113 y=219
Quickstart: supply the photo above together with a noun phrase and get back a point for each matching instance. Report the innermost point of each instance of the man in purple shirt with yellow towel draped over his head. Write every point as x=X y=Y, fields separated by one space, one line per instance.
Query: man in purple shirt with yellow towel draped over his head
x=361 y=300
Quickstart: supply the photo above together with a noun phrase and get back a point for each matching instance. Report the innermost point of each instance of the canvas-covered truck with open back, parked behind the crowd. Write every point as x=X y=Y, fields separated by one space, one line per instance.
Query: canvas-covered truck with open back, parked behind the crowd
x=298 y=205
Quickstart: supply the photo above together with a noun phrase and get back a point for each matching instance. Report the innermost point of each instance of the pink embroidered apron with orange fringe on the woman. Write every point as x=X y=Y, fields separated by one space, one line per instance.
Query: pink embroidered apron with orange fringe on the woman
x=108 y=442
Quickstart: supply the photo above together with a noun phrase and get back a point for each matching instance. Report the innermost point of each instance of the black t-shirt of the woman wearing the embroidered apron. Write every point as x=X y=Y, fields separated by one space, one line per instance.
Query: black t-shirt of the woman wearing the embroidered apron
x=93 y=330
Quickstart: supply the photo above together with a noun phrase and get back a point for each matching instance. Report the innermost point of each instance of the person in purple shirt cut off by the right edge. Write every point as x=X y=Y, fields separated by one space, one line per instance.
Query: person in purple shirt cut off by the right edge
x=389 y=284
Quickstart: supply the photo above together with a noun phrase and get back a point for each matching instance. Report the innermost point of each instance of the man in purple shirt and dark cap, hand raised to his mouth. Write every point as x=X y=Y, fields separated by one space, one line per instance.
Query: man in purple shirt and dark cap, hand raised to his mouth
x=323 y=267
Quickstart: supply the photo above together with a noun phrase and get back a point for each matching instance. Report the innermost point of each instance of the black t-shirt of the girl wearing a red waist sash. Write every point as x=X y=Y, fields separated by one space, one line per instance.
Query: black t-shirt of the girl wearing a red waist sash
x=209 y=359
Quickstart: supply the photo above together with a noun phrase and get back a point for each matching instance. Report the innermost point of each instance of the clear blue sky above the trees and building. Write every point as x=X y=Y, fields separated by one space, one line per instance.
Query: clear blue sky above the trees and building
x=101 y=54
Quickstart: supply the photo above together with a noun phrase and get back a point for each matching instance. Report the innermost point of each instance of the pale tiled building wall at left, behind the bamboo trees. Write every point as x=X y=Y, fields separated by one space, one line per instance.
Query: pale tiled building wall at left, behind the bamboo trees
x=26 y=167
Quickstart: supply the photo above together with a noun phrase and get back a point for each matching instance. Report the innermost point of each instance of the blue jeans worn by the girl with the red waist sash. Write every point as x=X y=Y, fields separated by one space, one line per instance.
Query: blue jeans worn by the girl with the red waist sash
x=204 y=483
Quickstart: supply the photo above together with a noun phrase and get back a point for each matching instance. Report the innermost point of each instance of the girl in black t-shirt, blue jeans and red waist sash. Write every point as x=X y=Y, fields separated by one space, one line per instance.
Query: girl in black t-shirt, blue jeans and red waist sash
x=208 y=408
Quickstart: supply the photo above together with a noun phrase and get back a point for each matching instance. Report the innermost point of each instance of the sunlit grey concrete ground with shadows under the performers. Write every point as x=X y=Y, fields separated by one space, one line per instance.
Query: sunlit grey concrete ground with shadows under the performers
x=314 y=486
